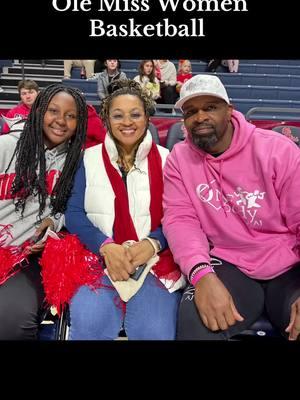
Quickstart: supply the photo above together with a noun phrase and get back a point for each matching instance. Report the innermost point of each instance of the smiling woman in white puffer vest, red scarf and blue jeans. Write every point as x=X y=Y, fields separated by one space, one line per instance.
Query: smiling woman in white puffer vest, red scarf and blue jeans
x=116 y=210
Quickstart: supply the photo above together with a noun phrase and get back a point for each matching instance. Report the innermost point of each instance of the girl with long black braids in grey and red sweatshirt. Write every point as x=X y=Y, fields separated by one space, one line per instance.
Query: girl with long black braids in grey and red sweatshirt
x=37 y=165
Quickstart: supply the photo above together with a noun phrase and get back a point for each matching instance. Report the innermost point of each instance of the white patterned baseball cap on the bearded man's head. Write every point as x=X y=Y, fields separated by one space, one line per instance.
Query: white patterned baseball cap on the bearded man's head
x=202 y=85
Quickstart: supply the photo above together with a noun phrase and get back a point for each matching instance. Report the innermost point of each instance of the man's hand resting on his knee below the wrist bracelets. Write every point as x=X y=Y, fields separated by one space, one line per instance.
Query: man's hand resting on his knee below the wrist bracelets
x=215 y=304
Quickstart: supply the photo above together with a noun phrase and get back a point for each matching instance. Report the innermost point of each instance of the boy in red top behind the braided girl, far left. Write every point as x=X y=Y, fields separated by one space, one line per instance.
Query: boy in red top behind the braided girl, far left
x=28 y=91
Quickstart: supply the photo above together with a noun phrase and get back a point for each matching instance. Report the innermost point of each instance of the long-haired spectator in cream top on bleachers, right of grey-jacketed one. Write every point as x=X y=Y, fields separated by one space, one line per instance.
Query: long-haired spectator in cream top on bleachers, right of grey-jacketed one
x=147 y=78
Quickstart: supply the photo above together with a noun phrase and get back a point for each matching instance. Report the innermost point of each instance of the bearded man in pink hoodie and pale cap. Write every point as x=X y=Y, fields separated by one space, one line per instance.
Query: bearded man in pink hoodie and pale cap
x=232 y=218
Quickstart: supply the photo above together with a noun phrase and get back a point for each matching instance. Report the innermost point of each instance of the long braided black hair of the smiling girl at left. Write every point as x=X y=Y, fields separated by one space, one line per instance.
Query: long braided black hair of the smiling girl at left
x=30 y=154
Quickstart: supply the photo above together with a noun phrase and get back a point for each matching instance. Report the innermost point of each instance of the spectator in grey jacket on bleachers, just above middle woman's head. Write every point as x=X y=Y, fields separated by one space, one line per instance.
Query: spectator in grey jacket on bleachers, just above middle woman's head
x=111 y=73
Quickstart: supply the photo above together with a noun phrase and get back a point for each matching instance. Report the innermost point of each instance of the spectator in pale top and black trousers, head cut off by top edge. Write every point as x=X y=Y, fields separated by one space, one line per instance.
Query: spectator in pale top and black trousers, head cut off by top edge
x=168 y=82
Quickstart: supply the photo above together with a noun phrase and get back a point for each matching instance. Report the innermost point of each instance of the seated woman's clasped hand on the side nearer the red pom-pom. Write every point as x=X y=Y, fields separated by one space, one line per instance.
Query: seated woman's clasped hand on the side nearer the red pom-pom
x=117 y=261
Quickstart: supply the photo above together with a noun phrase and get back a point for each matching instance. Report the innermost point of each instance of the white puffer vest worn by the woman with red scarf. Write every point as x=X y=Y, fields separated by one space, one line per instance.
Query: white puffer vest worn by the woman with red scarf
x=99 y=195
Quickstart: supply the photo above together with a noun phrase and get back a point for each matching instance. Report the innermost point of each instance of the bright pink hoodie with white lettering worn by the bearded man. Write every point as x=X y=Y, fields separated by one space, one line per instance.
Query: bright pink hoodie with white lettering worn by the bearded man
x=242 y=206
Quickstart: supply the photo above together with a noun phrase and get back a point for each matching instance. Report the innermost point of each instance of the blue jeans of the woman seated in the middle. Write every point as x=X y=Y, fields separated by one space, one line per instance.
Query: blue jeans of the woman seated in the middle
x=151 y=314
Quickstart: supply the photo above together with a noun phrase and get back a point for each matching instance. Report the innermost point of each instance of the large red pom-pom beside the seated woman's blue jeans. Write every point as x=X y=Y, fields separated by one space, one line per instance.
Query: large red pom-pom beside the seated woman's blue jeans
x=67 y=265
